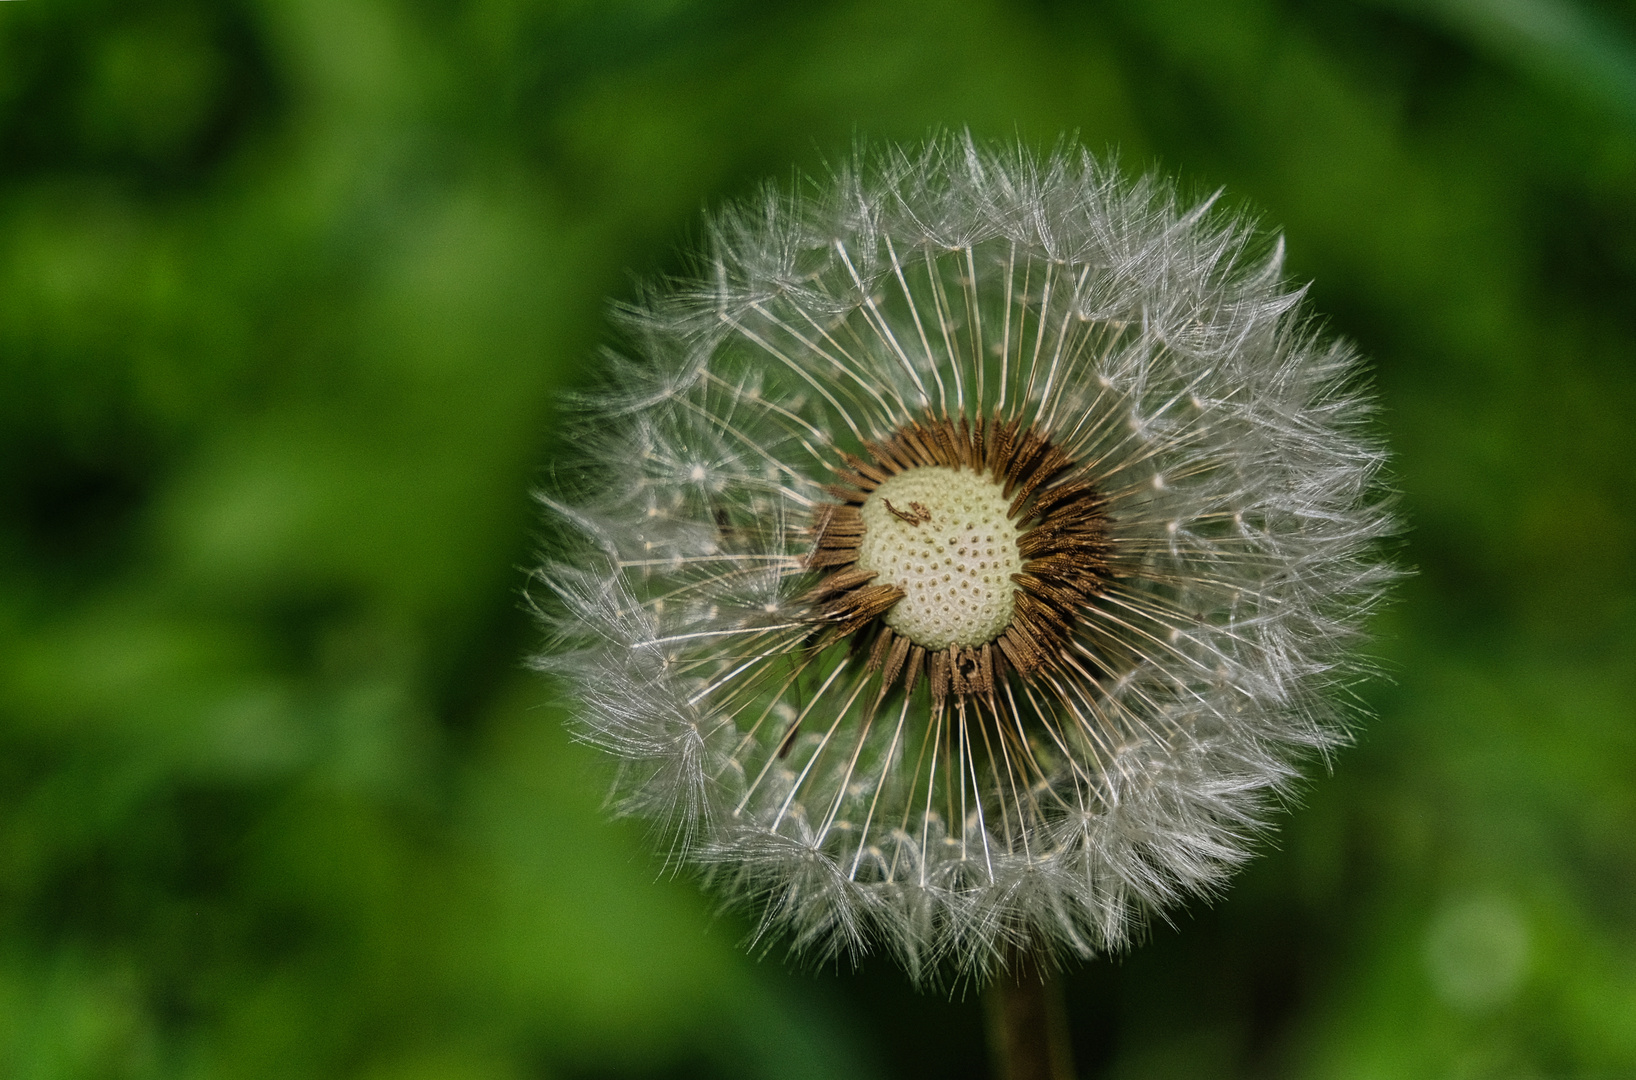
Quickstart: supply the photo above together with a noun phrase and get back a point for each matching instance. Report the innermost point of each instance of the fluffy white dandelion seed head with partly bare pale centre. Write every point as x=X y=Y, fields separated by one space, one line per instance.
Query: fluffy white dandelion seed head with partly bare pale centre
x=964 y=559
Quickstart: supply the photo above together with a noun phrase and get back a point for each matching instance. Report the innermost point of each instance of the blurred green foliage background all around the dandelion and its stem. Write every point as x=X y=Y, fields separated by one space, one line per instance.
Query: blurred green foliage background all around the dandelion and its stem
x=287 y=292
